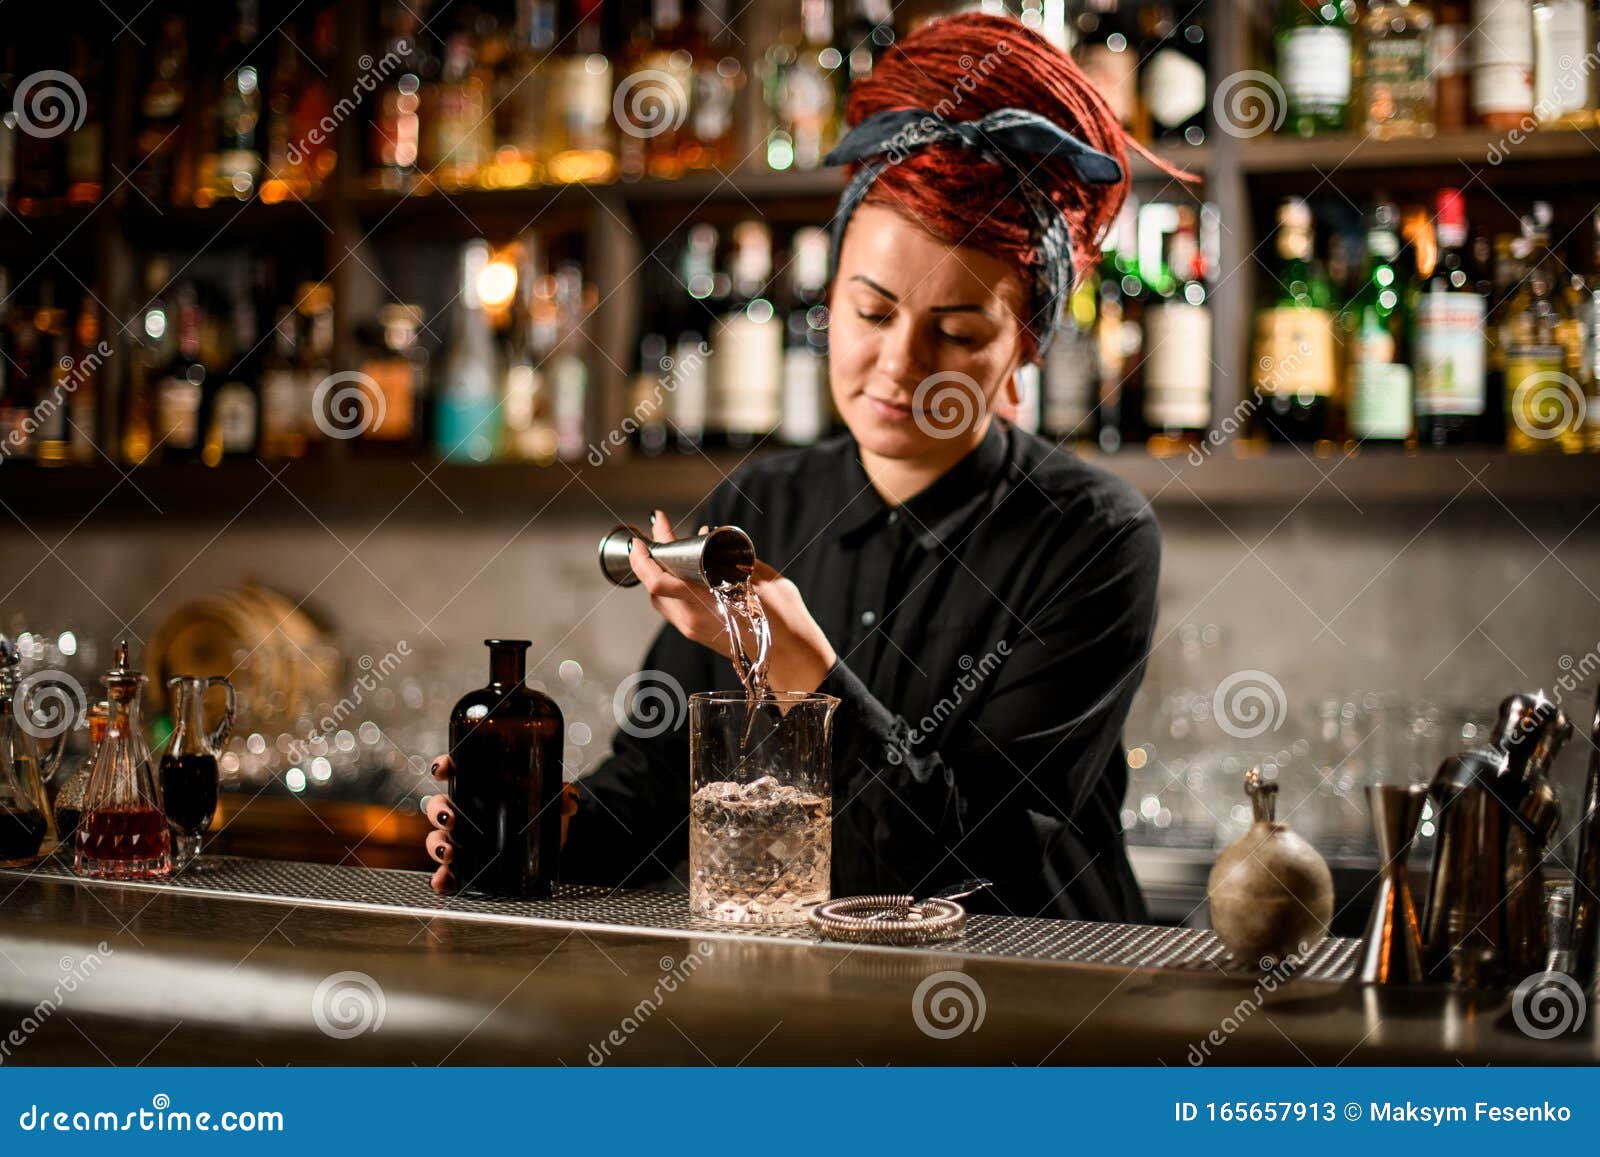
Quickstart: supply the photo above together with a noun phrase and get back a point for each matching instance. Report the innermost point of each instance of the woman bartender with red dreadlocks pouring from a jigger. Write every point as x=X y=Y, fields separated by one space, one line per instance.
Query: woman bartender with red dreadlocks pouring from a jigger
x=980 y=601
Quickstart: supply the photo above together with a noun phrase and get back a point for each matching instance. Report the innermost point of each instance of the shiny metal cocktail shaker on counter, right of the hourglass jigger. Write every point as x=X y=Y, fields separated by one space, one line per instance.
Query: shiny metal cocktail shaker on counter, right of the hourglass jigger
x=1497 y=812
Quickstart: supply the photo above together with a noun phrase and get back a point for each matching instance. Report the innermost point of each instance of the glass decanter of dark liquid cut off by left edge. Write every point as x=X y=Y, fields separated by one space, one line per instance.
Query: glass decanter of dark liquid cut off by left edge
x=28 y=828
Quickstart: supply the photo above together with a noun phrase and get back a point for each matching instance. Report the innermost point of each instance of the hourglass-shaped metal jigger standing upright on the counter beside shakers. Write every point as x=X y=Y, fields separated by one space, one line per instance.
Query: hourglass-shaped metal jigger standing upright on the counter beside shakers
x=1393 y=953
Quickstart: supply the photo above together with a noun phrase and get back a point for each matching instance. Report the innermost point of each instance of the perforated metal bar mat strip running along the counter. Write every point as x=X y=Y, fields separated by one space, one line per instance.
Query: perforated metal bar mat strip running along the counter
x=666 y=913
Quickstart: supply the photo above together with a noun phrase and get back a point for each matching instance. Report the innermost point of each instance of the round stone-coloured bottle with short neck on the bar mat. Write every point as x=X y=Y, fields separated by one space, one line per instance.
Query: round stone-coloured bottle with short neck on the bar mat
x=1271 y=894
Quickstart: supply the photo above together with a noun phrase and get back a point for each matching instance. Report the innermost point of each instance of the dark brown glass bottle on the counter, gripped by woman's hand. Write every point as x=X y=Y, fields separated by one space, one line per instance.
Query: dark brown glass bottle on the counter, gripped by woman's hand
x=506 y=782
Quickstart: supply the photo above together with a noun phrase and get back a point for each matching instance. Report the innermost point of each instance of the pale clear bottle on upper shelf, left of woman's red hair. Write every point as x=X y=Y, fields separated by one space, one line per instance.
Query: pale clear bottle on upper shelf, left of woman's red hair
x=802 y=92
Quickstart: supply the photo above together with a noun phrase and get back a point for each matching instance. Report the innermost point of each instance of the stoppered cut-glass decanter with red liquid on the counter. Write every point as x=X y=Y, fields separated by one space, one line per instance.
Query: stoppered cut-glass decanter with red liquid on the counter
x=124 y=830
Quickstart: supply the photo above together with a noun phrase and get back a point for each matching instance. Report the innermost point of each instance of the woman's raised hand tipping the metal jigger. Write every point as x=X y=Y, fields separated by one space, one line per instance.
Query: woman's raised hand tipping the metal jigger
x=801 y=654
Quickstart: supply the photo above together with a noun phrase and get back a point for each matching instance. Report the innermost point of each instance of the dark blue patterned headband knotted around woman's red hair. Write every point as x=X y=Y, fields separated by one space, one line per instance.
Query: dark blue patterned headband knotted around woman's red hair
x=1015 y=140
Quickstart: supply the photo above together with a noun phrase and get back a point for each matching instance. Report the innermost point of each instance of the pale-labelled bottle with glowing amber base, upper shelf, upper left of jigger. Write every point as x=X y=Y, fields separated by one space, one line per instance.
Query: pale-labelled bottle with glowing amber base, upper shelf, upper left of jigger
x=582 y=145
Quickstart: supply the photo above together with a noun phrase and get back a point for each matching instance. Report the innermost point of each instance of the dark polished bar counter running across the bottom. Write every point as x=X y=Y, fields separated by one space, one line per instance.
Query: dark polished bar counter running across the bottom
x=191 y=975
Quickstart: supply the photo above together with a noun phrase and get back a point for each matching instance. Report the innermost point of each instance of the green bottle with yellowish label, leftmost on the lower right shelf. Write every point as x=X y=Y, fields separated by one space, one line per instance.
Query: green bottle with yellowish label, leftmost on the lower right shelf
x=1295 y=348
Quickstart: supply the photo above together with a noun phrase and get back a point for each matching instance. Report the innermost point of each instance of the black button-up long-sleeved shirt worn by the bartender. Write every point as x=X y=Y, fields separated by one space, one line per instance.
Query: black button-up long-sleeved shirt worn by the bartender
x=991 y=635
